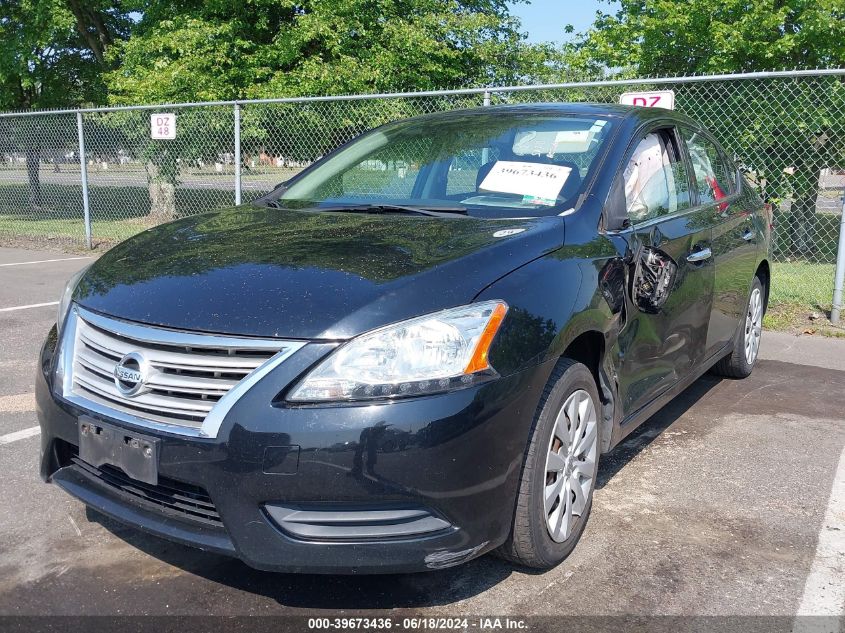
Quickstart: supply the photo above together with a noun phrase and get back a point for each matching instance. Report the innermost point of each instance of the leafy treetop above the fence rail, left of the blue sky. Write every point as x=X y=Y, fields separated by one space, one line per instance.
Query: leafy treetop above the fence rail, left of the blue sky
x=271 y=48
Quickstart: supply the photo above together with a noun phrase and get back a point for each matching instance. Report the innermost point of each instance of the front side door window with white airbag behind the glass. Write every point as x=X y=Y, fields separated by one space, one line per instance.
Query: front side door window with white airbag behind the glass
x=656 y=181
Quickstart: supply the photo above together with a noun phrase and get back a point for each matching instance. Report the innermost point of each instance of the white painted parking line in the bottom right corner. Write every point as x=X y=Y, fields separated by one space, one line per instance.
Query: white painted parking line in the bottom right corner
x=824 y=591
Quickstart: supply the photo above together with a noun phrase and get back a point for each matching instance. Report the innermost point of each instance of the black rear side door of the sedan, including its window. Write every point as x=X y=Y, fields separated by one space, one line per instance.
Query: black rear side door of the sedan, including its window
x=734 y=236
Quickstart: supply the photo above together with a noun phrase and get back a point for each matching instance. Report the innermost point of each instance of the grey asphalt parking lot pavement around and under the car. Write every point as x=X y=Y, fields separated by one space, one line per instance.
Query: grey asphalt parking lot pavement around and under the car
x=729 y=501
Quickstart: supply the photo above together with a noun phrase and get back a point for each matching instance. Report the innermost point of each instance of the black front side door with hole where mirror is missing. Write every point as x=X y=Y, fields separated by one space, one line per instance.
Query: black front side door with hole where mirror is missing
x=670 y=271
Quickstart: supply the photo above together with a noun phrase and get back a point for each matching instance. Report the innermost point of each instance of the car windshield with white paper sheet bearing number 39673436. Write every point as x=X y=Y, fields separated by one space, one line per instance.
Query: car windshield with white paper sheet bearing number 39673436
x=486 y=165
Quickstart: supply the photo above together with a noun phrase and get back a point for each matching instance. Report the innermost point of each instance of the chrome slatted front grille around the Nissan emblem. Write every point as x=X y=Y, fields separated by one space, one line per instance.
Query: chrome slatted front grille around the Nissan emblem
x=186 y=374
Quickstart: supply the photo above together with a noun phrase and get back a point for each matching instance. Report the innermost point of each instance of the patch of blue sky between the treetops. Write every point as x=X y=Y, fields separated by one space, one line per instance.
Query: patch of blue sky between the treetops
x=544 y=20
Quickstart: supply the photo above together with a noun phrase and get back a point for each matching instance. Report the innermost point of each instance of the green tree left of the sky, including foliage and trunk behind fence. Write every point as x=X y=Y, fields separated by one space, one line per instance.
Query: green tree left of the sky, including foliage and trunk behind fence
x=230 y=49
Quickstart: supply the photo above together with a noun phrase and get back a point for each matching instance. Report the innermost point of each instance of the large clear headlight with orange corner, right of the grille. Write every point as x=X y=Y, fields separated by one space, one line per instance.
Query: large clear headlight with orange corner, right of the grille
x=429 y=354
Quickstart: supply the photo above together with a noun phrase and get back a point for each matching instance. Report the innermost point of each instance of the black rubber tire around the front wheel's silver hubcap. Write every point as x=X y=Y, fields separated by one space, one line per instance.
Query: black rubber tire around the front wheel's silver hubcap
x=530 y=542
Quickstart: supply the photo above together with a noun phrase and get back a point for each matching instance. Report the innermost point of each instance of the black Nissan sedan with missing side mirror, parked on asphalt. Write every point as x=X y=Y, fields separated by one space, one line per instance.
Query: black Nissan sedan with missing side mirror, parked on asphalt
x=416 y=350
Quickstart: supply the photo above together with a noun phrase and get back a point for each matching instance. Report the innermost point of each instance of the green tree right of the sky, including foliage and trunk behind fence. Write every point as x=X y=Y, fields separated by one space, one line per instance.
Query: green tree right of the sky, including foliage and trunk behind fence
x=681 y=37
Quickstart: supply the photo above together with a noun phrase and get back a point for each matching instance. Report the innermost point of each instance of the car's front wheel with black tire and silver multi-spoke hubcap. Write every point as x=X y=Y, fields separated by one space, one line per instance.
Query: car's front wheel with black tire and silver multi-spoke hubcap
x=556 y=488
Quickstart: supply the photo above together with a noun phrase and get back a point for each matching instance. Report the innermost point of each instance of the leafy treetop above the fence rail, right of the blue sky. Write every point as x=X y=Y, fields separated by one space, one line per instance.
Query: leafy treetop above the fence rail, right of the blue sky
x=716 y=36
